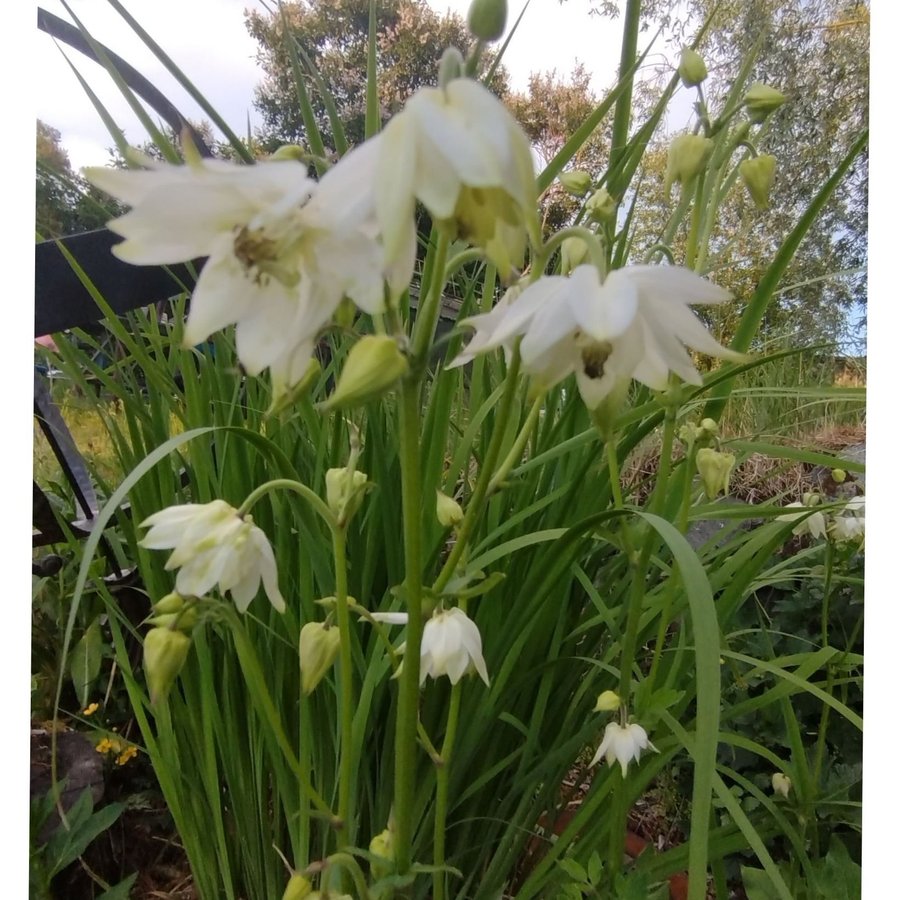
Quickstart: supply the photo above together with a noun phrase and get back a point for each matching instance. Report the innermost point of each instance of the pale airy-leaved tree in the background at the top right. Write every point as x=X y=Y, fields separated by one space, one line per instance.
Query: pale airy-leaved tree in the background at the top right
x=816 y=52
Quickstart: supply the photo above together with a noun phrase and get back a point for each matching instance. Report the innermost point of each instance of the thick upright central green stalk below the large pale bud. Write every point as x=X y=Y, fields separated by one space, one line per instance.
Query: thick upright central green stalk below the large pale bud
x=407 y=703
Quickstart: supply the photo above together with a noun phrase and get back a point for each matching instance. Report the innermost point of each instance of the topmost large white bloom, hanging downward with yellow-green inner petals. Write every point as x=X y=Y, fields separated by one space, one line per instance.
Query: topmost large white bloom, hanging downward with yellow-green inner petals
x=459 y=151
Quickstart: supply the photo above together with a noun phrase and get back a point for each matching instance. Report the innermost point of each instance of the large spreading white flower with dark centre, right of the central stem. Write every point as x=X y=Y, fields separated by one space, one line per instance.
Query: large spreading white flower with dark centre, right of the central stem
x=634 y=325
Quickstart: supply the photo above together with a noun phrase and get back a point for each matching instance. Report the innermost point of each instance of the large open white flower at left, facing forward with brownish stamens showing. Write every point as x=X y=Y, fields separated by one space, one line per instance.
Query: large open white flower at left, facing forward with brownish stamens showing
x=283 y=249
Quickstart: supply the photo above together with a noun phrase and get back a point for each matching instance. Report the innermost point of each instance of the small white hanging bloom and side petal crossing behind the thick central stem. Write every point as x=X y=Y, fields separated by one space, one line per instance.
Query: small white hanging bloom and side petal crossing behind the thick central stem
x=451 y=644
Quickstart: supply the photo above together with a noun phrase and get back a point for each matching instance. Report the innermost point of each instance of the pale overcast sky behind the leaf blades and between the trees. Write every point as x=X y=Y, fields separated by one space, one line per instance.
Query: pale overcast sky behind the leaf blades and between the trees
x=209 y=41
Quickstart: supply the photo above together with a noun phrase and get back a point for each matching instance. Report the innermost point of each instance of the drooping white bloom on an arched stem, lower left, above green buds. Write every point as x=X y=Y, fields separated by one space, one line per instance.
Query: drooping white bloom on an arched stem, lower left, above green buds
x=213 y=545
